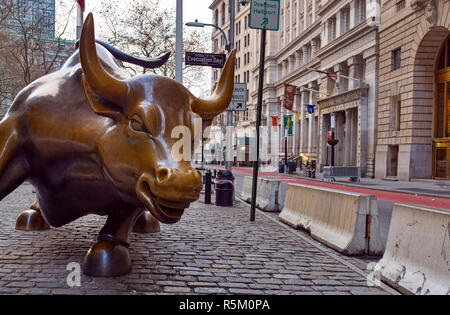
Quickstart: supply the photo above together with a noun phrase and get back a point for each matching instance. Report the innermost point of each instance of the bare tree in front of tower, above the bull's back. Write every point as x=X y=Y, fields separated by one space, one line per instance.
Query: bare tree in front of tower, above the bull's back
x=30 y=48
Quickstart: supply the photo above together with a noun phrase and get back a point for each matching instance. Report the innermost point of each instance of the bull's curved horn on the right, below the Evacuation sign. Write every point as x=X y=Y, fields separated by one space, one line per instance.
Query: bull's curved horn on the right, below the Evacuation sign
x=221 y=97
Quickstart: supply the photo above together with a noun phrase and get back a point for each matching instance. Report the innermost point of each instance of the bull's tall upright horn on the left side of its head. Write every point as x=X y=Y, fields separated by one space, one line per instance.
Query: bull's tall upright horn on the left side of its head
x=104 y=84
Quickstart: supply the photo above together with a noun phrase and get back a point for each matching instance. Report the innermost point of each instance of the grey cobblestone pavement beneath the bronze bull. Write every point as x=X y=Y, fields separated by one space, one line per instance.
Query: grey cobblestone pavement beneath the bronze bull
x=212 y=250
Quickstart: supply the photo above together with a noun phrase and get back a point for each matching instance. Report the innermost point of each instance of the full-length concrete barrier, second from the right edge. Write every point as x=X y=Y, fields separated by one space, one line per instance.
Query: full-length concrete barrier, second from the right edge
x=347 y=222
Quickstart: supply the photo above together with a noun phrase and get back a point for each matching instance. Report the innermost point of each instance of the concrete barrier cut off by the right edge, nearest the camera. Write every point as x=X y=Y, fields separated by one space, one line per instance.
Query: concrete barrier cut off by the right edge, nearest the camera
x=416 y=260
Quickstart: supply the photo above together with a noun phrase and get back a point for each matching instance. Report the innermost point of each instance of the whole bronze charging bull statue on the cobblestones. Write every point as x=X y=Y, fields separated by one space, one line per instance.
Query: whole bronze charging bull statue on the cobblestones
x=92 y=139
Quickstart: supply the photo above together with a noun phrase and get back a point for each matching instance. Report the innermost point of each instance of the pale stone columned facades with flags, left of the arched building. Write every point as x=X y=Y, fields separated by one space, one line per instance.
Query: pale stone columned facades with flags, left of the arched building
x=333 y=36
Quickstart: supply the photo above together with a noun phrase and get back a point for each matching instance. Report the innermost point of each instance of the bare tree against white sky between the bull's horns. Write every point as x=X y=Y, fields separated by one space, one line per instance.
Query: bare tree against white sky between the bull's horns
x=144 y=28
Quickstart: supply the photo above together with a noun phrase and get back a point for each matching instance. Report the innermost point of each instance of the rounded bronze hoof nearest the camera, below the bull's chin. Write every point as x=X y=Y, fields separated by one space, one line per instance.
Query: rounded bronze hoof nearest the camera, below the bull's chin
x=107 y=259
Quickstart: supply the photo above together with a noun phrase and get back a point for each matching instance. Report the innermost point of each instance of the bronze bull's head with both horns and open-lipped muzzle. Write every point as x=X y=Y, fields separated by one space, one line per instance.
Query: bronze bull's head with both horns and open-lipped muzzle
x=136 y=150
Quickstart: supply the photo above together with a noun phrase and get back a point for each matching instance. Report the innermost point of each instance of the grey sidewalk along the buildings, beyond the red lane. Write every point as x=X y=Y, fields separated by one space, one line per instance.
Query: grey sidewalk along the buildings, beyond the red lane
x=432 y=188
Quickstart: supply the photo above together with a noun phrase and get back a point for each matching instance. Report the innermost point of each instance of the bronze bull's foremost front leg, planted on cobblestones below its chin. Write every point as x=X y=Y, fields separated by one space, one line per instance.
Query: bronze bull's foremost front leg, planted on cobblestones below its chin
x=110 y=257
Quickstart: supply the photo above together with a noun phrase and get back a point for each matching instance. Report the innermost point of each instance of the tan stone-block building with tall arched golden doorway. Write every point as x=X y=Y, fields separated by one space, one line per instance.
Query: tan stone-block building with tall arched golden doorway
x=414 y=95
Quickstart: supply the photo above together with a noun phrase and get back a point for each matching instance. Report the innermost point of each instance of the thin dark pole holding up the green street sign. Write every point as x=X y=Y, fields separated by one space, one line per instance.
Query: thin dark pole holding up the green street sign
x=258 y=122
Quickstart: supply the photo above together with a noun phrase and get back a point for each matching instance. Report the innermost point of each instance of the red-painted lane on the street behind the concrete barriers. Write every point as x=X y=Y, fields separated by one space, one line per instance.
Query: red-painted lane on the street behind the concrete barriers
x=390 y=196
